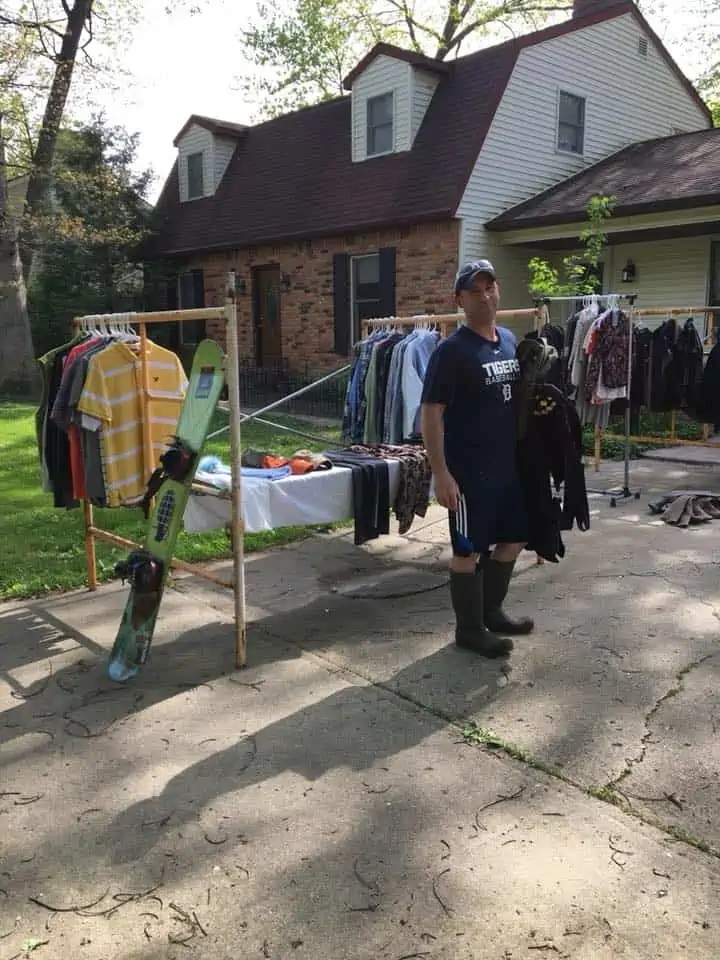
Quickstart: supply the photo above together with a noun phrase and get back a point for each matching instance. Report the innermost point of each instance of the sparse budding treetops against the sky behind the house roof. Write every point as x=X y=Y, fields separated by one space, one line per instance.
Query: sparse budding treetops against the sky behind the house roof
x=300 y=50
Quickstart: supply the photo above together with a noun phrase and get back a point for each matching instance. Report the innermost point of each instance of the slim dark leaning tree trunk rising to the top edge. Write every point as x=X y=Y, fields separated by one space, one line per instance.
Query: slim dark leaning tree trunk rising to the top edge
x=39 y=181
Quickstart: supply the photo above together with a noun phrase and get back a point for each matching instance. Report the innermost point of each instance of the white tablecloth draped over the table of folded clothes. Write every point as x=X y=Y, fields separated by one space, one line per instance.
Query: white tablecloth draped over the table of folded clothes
x=316 y=498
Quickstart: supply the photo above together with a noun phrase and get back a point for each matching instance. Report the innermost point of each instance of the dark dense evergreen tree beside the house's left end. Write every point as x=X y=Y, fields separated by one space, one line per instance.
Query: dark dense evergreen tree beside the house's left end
x=89 y=227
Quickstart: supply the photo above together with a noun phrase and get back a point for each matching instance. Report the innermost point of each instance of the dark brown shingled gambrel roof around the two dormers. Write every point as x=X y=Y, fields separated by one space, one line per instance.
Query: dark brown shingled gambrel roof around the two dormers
x=294 y=178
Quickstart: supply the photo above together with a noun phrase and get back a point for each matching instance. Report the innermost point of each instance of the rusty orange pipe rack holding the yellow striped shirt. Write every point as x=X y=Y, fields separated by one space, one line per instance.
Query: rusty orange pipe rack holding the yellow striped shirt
x=227 y=315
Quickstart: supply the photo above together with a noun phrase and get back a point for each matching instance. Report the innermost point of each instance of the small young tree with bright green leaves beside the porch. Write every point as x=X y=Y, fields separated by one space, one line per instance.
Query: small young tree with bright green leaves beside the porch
x=580 y=271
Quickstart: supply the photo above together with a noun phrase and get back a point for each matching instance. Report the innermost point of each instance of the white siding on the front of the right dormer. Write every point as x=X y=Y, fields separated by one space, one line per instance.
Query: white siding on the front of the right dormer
x=383 y=75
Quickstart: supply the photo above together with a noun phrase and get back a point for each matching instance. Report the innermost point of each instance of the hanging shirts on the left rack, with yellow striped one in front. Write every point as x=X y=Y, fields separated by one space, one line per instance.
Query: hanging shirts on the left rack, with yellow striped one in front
x=90 y=420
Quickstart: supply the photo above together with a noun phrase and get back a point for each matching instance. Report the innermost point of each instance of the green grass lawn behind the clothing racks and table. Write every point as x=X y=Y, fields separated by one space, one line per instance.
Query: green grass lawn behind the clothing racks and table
x=43 y=548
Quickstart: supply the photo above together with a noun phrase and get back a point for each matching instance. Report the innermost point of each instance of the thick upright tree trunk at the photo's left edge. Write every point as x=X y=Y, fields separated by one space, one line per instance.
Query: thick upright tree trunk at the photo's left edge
x=18 y=373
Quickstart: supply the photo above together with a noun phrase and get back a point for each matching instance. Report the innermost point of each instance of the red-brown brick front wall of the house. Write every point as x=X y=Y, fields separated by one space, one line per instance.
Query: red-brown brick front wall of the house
x=426 y=261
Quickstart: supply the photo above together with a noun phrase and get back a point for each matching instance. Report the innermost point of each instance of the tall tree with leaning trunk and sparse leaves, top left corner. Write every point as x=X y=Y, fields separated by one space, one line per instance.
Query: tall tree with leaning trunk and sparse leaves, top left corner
x=42 y=45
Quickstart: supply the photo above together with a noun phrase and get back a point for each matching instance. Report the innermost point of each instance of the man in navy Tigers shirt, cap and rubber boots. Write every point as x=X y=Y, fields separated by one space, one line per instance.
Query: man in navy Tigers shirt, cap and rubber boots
x=468 y=423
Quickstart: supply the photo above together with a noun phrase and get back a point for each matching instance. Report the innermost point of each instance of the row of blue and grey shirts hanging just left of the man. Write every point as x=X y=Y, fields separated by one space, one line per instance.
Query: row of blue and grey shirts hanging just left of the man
x=382 y=402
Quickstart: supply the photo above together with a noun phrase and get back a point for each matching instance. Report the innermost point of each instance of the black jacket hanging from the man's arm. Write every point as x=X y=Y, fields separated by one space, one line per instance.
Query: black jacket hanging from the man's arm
x=550 y=457
